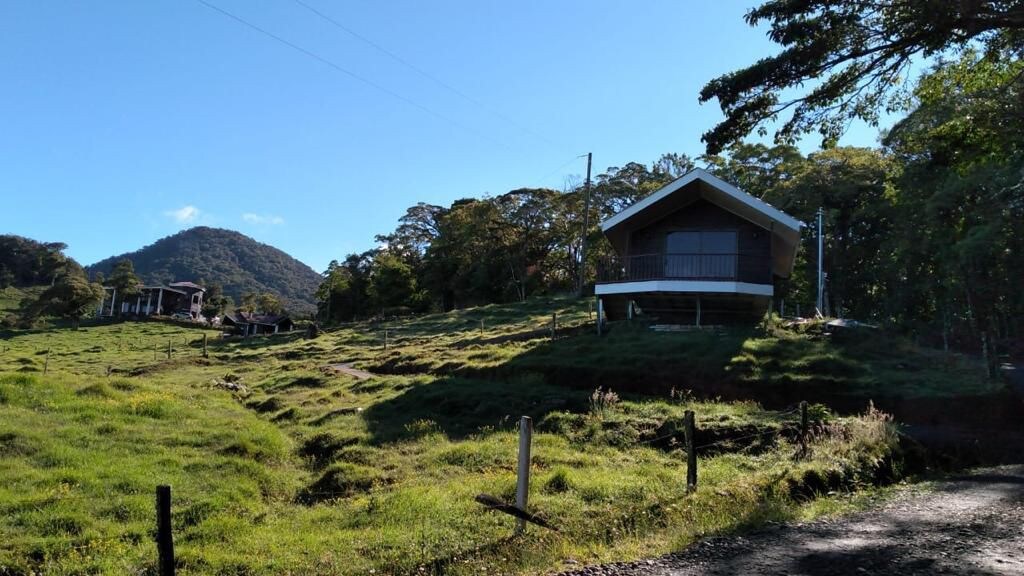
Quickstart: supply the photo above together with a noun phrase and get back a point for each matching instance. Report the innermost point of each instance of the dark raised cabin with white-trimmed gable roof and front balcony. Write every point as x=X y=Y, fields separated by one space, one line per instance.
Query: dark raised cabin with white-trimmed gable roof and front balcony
x=699 y=252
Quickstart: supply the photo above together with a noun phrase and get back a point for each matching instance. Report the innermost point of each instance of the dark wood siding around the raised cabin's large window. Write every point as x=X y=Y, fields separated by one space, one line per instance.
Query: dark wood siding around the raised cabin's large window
x=754 y=243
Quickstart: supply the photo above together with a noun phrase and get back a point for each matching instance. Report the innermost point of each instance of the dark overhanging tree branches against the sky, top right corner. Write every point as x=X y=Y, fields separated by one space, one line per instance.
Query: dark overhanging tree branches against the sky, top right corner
x=855 y=55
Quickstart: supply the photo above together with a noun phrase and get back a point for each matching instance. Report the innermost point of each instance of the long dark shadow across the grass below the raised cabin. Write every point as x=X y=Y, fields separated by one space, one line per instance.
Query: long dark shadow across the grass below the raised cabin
x=552 y=377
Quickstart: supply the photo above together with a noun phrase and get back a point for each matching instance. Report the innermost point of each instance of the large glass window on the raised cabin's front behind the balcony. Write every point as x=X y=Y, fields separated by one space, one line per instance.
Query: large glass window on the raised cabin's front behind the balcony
x=704 y=254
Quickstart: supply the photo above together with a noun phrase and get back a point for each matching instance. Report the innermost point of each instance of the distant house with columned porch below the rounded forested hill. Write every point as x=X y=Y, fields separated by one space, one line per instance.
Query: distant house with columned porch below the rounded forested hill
x=182 y=299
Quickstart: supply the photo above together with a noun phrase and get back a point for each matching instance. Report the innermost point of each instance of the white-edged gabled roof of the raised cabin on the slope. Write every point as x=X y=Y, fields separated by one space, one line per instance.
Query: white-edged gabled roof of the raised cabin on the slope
x=700 y=184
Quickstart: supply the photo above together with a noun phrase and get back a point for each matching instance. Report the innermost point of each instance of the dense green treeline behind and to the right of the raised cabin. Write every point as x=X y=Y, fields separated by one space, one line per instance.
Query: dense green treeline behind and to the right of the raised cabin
x=923 y=232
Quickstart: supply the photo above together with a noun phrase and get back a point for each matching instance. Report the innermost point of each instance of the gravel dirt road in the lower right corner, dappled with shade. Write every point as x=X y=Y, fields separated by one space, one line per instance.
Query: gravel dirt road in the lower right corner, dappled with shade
x=969 y=525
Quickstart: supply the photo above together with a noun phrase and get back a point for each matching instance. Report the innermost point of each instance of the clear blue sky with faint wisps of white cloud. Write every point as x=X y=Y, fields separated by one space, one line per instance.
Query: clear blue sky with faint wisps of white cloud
x=124 y=122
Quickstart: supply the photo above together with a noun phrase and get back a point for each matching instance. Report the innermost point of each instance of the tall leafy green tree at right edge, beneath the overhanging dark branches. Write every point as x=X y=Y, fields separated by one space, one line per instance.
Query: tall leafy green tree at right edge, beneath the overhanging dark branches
x=962 y=198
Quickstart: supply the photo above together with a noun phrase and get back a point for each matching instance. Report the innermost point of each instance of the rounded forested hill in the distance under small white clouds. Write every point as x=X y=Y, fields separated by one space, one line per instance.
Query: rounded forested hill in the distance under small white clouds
x=223 y=257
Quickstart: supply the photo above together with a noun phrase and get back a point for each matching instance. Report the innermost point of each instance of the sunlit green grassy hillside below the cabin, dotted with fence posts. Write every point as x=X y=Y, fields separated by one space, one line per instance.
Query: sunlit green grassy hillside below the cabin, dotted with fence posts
x=308 y=470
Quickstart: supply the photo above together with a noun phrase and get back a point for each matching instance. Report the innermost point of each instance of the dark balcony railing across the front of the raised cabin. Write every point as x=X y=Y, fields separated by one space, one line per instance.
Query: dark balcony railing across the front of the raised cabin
x=742 y=268
